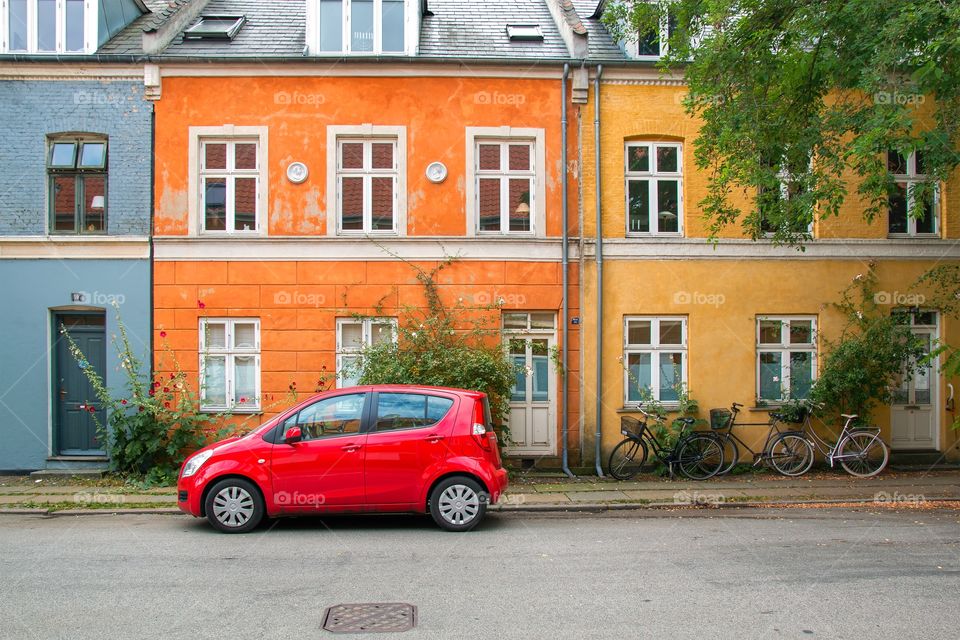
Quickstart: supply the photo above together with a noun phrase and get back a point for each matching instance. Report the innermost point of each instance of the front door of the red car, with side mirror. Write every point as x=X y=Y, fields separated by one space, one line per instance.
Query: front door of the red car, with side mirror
x=323 y=471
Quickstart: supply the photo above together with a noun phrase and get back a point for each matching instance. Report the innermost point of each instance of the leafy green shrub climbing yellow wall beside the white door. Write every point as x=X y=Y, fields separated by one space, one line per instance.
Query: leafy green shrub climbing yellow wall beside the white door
x=875 y=349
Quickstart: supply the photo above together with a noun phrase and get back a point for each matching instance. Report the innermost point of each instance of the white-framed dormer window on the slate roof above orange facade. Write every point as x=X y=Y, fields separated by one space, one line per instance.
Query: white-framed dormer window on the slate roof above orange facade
x=360 y=26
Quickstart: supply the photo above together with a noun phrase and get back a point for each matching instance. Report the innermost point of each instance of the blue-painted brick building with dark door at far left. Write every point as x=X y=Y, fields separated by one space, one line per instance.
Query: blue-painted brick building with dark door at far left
x=75 y=203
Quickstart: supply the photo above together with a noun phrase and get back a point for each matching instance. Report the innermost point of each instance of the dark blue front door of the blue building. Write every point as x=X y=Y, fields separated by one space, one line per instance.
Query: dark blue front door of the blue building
x=74 y=399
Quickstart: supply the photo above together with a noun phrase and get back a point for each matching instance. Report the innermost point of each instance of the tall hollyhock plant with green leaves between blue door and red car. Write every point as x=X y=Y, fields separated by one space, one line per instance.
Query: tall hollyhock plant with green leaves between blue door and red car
x=155 y=424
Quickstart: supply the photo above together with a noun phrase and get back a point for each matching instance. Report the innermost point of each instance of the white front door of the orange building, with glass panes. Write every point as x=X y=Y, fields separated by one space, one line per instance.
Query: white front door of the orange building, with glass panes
x=533 y=397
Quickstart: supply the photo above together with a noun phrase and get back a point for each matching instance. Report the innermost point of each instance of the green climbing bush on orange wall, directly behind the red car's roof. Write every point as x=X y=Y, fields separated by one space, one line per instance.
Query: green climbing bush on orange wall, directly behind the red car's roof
x=456 y=346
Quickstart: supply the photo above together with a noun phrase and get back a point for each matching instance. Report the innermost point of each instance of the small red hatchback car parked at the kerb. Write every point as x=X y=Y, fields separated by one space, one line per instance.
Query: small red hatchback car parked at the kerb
x=384 y=448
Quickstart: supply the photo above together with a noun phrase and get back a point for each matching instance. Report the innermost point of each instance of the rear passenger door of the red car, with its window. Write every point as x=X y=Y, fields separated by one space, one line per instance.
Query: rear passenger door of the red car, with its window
x=408 y=438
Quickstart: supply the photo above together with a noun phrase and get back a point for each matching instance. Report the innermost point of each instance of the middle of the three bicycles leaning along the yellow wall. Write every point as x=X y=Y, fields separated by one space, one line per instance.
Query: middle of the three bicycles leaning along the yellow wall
x=785 y=451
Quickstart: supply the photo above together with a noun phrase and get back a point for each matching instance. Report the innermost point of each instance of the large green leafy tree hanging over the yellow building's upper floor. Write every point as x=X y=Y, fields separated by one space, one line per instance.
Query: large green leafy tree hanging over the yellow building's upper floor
x=797 y=96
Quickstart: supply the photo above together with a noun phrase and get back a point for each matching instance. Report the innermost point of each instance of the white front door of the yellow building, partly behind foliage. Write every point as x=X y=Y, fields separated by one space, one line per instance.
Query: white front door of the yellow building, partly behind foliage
x=913 y=414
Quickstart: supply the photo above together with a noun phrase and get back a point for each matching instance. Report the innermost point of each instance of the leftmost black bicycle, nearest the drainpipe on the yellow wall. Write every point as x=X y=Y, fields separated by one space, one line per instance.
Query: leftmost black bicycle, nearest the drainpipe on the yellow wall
x=699 y=456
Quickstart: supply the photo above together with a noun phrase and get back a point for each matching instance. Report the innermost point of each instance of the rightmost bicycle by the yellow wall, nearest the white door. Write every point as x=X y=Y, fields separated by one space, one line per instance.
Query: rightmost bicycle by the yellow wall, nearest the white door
x=859 y=450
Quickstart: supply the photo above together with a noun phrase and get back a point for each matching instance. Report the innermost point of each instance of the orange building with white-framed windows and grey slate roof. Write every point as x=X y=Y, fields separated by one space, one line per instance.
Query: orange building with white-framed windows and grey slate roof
x=301 y=176
